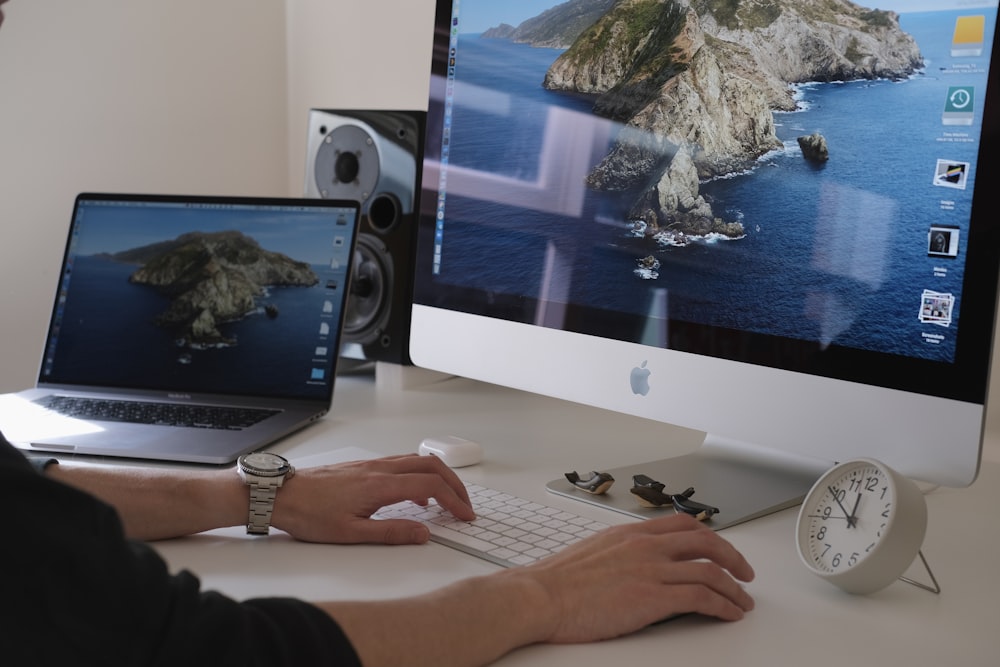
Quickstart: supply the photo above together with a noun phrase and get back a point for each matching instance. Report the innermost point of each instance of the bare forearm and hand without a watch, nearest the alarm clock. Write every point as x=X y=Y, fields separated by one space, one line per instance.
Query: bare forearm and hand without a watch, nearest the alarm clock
x=610 y=584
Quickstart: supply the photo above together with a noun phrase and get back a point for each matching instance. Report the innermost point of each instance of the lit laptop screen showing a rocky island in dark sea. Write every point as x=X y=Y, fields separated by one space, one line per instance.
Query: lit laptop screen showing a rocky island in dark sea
x=236 y=301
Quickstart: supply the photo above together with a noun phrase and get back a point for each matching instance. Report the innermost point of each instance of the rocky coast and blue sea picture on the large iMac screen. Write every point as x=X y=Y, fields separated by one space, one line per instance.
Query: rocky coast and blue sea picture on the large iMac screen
x=833 y=209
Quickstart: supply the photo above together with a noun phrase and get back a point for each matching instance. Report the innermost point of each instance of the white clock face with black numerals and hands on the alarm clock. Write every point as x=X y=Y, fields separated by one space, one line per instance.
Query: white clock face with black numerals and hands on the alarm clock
x=846 y=516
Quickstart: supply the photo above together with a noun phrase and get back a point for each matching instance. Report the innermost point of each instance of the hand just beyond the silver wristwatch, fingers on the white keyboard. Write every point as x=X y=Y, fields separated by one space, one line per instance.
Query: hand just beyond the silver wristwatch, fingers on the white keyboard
x=334 y=503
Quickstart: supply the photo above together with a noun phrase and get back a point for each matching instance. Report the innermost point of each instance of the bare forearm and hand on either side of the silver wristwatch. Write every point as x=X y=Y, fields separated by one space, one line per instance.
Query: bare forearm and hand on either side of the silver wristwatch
x=320 y=504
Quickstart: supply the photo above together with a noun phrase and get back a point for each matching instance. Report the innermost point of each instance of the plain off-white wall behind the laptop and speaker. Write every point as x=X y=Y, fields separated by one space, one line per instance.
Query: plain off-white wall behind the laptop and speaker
x=199 y=96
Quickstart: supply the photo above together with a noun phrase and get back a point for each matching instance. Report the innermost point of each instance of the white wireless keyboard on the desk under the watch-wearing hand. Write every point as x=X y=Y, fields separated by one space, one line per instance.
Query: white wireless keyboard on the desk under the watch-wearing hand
x=508 y=530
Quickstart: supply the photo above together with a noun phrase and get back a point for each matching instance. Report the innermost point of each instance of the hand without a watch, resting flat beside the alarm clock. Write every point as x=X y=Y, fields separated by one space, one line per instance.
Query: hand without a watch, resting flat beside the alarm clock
x=632 y=575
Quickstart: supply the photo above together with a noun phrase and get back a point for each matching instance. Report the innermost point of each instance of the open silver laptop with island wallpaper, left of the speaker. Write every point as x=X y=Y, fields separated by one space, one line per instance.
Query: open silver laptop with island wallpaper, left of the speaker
x=189 y=328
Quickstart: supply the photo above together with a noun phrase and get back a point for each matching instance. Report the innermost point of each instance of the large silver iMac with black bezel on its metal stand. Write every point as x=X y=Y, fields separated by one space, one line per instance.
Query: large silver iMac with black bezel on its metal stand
x=759 y=223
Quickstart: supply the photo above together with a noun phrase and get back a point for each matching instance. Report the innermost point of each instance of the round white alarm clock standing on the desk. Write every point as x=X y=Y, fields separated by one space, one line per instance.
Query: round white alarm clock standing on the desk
x=861 y=526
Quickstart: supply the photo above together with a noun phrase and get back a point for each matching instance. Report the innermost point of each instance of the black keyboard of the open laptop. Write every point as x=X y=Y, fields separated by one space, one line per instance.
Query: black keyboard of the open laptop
x=148 y=412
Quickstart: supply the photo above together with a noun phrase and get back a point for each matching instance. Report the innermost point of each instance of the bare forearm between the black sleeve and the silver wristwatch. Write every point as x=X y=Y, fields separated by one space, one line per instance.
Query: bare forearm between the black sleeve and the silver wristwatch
x=160 y=503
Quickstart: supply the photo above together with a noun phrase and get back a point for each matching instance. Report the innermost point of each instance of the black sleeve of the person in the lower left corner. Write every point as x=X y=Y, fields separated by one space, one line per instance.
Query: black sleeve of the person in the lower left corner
x=75 y=591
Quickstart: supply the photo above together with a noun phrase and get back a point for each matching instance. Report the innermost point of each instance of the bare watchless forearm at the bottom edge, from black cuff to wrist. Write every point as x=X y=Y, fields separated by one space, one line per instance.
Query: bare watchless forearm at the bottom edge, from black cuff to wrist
x=471 y=622
